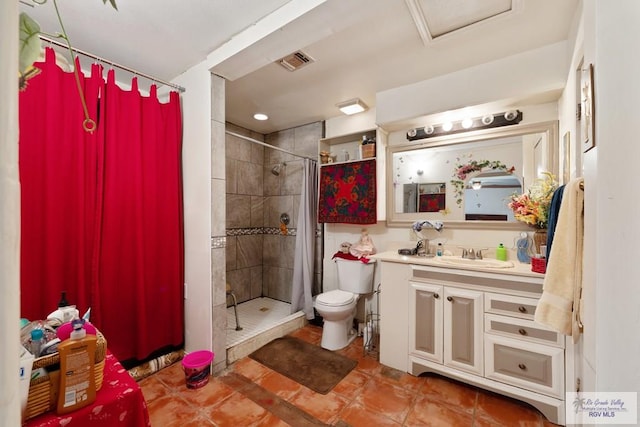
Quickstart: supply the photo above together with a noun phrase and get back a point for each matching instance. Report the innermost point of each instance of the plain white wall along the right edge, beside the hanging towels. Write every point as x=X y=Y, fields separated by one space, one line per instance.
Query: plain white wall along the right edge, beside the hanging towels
x=611 y=36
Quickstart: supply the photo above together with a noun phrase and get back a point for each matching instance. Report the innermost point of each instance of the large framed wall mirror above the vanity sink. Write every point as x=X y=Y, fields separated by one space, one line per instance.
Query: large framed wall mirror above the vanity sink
x=466 y=179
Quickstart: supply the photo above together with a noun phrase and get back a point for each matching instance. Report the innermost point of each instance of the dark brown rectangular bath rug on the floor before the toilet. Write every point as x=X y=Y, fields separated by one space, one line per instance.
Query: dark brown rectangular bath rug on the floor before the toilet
x=312 y=366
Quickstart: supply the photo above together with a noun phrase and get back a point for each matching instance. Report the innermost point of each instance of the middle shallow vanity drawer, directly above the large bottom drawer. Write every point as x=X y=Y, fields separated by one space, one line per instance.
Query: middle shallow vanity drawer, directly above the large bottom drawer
x=522 y=329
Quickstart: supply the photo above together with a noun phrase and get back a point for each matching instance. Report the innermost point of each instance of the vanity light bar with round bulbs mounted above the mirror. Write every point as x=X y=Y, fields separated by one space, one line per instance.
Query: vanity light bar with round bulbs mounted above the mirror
x=511 y=117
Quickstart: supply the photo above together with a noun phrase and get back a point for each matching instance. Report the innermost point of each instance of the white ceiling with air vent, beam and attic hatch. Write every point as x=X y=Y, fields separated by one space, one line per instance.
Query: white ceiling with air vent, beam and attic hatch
x=359 y=47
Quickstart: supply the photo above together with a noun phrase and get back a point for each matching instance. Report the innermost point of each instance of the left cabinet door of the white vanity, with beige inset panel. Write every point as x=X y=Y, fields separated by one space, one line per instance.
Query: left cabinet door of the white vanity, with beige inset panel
x=425 y=321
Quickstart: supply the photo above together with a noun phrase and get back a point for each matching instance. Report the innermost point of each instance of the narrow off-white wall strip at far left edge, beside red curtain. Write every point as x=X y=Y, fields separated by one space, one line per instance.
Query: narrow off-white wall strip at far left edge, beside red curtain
x=9 y=217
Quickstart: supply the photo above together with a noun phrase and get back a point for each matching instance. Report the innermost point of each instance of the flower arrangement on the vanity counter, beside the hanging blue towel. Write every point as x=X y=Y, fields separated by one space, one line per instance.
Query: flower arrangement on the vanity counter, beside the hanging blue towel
x=533 y=206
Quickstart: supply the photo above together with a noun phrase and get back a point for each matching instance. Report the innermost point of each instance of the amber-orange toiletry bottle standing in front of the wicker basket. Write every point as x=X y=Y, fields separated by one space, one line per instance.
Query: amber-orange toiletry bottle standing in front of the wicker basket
x=77 y=370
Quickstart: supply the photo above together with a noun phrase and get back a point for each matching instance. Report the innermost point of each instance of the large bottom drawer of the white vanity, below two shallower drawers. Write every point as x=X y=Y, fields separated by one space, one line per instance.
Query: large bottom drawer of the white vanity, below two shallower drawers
x=535 y=367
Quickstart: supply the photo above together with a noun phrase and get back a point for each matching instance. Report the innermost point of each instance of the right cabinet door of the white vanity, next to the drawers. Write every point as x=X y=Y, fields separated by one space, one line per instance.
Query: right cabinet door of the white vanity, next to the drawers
x=463 y=330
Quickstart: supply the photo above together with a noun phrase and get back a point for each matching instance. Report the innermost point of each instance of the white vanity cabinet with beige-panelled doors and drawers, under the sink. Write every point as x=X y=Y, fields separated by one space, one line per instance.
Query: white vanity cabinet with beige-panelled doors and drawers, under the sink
x=473 y=325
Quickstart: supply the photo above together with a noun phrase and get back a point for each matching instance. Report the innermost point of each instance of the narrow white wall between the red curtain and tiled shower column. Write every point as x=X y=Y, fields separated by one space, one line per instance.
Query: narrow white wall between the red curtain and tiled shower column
x=196 y=154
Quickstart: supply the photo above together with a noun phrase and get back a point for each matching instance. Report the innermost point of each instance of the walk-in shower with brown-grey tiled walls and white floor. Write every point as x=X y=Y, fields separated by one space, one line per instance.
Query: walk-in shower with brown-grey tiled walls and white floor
x=261 y=255
